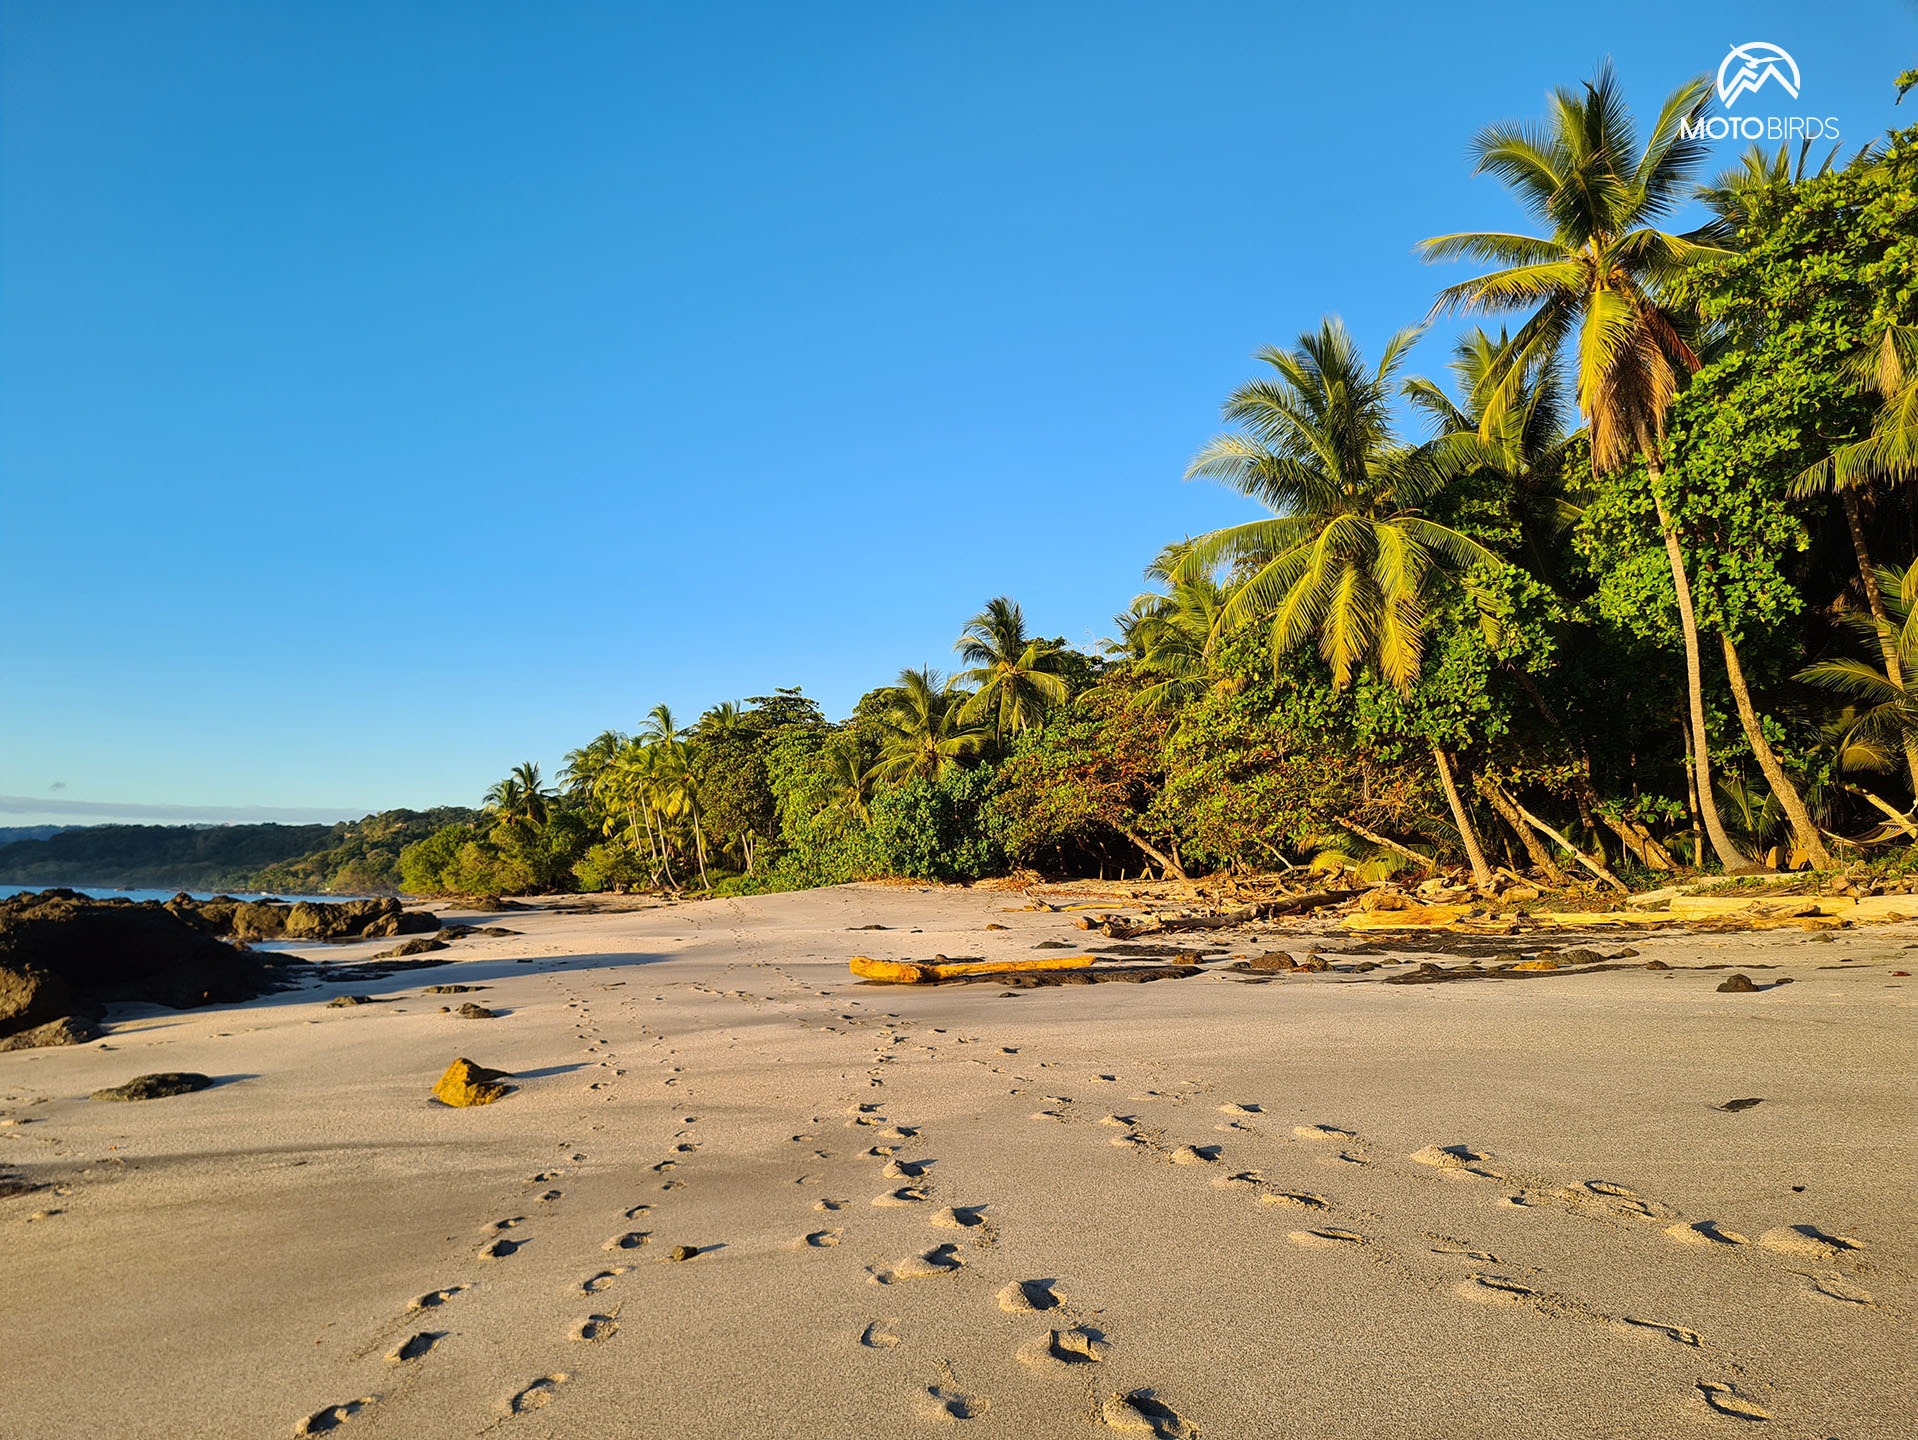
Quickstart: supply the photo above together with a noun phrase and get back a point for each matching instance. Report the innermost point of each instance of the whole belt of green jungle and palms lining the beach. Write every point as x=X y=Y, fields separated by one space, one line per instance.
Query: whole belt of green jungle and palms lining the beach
x=1637 y=595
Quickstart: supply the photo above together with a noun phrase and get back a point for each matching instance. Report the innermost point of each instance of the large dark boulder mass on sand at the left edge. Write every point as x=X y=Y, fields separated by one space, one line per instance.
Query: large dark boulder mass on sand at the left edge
x=64 y=958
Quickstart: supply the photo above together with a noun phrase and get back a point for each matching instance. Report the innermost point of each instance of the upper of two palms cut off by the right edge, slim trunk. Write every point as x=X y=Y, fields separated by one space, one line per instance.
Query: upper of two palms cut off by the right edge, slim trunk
x=1888 y=453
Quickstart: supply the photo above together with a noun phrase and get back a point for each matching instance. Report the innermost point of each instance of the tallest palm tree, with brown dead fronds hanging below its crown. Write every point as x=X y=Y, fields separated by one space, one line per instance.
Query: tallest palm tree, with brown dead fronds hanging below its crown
x=1601 y=275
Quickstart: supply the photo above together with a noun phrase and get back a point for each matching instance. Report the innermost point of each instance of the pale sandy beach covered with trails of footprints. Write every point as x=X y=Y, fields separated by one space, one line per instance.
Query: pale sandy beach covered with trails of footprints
x=1319 y=1207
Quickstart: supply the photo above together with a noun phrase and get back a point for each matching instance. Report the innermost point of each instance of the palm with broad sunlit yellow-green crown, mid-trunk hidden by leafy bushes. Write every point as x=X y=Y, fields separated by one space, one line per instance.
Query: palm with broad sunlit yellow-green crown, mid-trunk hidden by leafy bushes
x=1347 y=555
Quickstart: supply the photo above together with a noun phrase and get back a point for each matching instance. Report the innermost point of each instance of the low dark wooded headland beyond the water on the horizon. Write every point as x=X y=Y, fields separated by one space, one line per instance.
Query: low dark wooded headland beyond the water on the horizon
x=352 y=858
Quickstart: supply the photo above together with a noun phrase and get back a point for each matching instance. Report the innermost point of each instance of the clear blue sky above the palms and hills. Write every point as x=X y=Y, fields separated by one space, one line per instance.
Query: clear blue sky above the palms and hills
x=396 y=392
